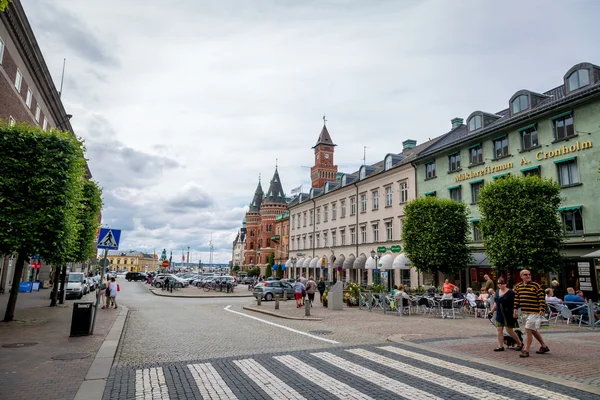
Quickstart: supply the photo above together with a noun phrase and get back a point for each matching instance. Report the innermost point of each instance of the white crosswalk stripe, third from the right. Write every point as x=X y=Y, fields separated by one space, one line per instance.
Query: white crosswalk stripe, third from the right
x=375 y=378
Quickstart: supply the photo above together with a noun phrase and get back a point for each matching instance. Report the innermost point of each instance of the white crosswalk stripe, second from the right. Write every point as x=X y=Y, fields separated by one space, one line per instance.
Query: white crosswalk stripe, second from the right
x=407 y=369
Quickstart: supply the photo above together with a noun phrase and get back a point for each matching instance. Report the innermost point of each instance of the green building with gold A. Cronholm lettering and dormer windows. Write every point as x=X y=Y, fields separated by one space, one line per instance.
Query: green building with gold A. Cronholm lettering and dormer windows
x=555 y=134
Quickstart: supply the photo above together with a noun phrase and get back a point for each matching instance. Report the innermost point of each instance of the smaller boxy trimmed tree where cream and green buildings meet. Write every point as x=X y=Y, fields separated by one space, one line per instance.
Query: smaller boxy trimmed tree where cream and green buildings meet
x=436 y=235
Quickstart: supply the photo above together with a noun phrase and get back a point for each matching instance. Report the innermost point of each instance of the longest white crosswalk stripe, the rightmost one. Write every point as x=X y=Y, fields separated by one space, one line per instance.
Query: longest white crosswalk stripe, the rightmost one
x=513 y=384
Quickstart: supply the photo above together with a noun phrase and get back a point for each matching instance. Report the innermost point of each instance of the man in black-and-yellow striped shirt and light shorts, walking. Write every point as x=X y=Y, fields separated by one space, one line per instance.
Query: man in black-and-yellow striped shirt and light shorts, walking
x=529 y=297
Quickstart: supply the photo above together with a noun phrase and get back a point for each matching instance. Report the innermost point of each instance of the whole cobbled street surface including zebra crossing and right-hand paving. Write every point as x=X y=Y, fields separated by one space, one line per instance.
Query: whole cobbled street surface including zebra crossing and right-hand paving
x=215 y=348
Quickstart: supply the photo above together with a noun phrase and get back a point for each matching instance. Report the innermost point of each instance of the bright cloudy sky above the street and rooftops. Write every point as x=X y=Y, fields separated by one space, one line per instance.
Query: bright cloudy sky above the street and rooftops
x=183 y=103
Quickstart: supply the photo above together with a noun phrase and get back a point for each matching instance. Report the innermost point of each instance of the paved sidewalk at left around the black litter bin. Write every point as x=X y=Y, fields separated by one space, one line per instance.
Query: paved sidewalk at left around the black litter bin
x=29 y=371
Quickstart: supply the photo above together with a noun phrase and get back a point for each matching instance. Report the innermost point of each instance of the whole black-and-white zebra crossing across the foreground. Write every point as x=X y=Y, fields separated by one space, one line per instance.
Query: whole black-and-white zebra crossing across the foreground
x=367 y=373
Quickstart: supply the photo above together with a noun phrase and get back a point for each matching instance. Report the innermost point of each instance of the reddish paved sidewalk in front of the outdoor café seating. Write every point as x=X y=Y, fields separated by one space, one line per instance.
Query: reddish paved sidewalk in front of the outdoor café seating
x=573 y=358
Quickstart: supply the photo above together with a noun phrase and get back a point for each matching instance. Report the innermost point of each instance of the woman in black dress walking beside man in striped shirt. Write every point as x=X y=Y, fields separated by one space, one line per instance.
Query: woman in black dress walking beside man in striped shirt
x=504 y=304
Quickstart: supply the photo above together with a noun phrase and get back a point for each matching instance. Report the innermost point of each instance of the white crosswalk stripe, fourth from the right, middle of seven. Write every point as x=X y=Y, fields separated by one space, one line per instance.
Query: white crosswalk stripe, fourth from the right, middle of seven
x=331 y=385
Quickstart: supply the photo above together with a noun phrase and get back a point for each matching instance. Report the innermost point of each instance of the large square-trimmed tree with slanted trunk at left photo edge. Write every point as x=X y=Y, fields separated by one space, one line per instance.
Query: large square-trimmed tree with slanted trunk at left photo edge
x=41 y=181
